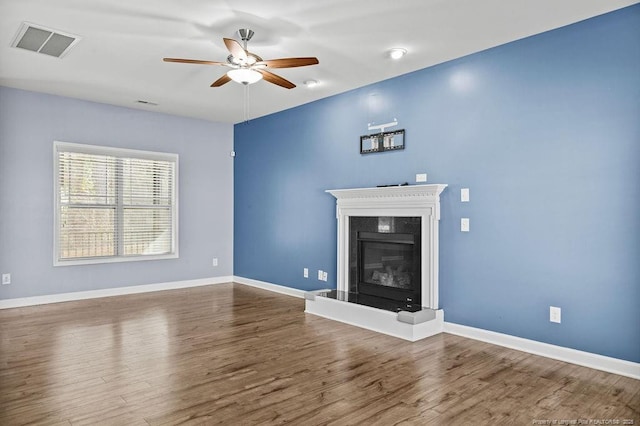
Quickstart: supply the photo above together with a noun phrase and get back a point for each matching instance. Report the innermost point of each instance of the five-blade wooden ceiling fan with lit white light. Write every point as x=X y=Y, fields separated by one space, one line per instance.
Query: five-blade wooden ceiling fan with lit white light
x=248 y=68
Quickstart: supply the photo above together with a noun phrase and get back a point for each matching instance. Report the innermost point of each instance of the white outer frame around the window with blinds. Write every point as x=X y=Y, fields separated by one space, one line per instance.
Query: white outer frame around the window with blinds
x=59 y=146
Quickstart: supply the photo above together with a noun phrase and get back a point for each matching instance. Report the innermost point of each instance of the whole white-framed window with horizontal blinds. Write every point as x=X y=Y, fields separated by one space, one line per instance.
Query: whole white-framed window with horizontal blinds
x=114 y=204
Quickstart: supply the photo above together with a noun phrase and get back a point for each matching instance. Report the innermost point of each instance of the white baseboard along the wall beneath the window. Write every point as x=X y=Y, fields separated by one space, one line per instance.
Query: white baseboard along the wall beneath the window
x=108 y=292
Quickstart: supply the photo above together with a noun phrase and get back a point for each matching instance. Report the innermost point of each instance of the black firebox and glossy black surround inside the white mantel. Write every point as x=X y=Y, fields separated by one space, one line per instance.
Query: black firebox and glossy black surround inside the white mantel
x=385 y=258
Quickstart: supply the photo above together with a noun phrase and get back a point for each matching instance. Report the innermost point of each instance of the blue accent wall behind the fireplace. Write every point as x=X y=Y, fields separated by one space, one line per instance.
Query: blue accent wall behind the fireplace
x=545 y=132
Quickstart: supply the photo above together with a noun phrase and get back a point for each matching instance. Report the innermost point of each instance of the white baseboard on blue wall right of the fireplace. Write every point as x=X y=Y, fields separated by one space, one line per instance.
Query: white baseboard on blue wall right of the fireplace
x=586 y=359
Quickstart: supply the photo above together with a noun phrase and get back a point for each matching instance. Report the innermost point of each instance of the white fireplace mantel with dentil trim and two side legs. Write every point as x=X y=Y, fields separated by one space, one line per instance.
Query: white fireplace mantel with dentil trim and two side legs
x=393 y=201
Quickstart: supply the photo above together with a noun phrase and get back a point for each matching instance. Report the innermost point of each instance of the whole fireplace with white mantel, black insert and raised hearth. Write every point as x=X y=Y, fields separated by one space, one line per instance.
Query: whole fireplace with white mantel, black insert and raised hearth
x=395 y=225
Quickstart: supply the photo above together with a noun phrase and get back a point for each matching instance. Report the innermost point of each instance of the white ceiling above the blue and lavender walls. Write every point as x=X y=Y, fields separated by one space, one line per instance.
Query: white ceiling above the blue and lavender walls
x=119 y=59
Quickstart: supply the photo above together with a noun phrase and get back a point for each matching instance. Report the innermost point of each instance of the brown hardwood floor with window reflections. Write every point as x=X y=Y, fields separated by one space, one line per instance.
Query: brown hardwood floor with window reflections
x=231 y=354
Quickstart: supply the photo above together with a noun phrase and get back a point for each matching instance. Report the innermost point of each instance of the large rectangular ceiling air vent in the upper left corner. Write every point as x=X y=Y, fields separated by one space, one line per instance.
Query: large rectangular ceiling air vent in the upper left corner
x=44 y=40
